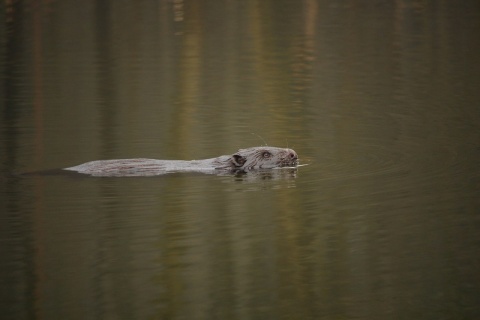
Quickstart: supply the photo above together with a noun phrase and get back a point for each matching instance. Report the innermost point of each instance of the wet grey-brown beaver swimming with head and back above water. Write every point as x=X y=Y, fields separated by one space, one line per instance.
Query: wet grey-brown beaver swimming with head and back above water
x=244 y=160
